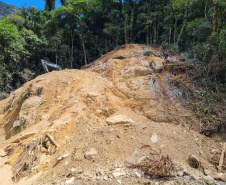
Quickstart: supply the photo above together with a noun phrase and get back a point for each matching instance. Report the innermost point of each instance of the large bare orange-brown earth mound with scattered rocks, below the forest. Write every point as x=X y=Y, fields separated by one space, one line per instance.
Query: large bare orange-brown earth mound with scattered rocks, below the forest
x=113 y=113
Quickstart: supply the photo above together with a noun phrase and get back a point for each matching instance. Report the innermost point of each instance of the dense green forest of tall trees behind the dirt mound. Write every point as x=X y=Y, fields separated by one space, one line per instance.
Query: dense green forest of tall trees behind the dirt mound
x=80 y=31
